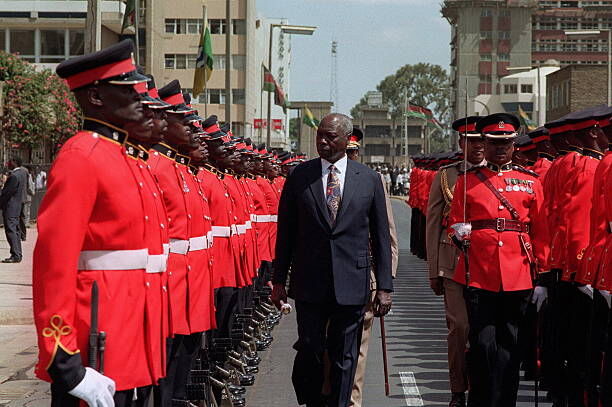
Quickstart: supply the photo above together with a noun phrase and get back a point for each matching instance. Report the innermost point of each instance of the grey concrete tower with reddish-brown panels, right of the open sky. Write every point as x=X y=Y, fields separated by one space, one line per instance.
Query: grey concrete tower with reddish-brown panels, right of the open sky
x=487 y=36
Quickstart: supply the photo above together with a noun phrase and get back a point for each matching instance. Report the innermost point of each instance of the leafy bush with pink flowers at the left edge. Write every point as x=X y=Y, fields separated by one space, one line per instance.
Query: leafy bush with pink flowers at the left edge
x=39 y=109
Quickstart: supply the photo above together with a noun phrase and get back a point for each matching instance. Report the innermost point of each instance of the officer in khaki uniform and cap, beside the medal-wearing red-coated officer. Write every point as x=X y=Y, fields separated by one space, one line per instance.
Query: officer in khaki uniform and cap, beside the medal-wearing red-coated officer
x=442 y=254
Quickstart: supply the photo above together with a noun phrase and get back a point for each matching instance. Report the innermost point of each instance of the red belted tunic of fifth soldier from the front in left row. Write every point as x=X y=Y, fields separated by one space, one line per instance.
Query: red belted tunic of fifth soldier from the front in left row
x=221 y=213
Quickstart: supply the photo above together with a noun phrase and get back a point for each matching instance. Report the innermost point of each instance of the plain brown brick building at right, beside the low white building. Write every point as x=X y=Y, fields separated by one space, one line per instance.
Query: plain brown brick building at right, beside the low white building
x=575 y=87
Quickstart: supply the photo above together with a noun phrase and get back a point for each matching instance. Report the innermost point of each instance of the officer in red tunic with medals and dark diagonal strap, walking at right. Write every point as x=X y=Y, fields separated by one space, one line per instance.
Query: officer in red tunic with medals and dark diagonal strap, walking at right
x=505 y=228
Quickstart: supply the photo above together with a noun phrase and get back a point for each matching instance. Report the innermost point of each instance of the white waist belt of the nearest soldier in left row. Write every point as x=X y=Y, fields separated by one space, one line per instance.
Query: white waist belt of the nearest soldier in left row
x=113 y=259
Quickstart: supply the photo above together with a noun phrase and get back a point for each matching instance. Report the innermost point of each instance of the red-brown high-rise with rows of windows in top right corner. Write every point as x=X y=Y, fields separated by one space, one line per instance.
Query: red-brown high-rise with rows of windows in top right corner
x=554 y=18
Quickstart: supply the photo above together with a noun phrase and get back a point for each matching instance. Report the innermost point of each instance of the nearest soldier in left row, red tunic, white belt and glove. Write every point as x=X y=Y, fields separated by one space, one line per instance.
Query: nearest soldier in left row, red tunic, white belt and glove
x=92 y=229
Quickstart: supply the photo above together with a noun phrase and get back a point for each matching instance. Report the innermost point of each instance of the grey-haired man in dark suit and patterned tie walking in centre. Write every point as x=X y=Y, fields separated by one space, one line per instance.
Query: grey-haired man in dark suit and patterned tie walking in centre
x=332 y=227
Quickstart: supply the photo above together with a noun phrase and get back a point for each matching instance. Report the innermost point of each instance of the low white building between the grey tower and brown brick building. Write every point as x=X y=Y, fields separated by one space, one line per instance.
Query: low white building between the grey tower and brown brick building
x=522 y=89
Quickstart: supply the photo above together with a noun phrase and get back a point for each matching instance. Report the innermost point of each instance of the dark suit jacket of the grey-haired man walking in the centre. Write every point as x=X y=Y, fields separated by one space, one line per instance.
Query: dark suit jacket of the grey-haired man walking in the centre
x=332 y=263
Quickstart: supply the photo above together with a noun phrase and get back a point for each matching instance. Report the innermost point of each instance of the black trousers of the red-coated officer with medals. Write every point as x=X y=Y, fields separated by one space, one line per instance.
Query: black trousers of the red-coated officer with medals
x=494 y=357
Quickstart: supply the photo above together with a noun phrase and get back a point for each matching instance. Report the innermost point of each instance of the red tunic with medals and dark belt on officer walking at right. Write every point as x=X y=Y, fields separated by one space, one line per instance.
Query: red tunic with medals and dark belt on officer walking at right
x=498 y=261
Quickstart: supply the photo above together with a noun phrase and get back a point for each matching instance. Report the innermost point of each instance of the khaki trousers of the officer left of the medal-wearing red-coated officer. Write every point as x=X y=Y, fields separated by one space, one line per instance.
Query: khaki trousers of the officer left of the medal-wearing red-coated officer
x=458 y=330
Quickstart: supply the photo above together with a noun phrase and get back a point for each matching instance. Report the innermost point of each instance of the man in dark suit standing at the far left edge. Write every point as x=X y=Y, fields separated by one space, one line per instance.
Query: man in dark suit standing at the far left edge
x=11 y=200
